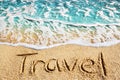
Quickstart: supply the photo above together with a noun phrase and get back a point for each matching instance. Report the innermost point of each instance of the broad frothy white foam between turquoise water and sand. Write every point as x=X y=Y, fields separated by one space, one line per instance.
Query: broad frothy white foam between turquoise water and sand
x=104 y=36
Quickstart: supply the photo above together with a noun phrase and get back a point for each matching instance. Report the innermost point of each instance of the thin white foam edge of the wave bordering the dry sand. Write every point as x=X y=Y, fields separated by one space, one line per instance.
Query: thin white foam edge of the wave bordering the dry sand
x=77 y=42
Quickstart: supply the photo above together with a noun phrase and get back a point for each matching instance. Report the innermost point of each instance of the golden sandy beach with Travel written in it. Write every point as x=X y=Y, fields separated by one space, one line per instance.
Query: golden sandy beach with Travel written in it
x=68 y=62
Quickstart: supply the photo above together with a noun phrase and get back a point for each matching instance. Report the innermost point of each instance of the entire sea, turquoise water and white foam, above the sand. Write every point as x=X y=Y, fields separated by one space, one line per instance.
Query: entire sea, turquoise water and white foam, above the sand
x=43 y=24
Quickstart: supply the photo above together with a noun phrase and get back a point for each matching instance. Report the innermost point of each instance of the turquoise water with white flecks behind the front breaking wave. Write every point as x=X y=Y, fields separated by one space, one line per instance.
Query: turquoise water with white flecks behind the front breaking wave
x=75 y=11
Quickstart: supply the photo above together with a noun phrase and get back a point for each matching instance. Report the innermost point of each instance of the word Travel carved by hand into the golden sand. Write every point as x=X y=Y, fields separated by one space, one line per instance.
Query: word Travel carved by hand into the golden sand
x=86 y=65
